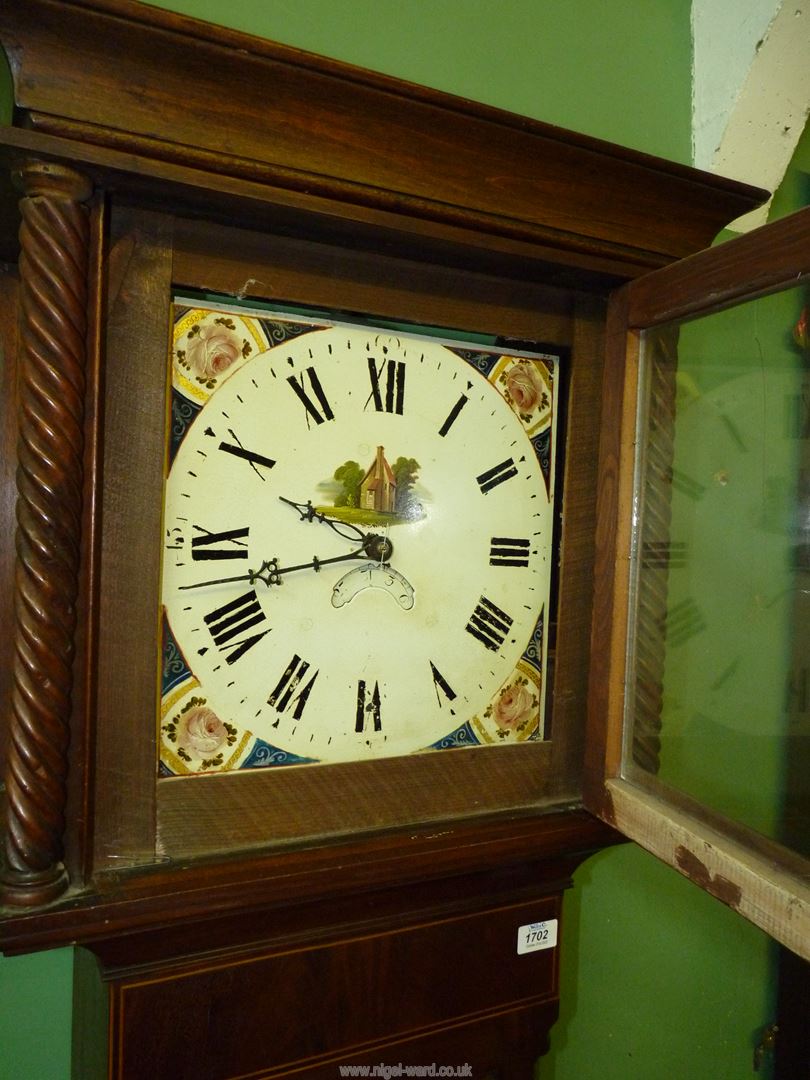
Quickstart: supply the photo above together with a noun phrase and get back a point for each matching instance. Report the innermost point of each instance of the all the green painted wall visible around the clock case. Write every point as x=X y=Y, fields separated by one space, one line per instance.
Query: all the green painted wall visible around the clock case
x=658 y=980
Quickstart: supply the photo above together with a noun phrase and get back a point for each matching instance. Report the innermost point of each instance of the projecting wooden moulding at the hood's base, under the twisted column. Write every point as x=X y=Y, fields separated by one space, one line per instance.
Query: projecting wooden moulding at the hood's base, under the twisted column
x=167 y=896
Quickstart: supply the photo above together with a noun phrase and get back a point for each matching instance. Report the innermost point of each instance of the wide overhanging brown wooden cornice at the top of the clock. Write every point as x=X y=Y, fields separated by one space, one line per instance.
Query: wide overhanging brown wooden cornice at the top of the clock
x=313 y=125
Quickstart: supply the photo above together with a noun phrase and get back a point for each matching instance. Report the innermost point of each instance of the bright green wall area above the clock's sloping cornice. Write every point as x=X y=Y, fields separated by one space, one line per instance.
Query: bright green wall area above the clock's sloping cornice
x=617 y=71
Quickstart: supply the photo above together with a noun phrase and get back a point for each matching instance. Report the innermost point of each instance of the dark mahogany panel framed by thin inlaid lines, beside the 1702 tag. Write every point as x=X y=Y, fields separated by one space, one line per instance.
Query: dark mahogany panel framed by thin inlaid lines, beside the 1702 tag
x=330 y=1002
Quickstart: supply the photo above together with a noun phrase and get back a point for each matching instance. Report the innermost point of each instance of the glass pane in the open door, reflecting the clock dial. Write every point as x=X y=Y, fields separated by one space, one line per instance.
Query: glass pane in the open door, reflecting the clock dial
x=721 y=649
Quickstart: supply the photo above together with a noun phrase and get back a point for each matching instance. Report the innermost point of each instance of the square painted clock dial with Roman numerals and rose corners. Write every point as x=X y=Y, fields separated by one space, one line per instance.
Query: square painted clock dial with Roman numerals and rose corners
x=358 y=544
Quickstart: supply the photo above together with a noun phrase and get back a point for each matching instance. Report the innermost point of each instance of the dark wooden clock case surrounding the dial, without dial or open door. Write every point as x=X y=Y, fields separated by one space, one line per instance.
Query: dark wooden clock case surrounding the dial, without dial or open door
x=152 y=154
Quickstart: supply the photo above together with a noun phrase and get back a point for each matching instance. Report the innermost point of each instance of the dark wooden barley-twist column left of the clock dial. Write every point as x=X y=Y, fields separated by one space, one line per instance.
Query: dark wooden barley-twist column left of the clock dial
x=53 y=268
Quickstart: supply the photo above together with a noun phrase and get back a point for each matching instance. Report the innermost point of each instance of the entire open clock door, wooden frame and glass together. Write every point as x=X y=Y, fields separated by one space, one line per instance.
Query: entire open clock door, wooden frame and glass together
x=700 y=703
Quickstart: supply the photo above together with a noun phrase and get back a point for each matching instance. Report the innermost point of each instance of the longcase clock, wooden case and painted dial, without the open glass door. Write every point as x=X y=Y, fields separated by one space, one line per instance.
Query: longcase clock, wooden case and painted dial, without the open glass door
x=307 y=457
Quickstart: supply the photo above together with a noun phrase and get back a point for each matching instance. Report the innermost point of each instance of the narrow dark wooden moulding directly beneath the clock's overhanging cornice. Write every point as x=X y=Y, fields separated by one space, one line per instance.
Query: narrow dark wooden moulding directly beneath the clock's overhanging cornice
x=495 y=247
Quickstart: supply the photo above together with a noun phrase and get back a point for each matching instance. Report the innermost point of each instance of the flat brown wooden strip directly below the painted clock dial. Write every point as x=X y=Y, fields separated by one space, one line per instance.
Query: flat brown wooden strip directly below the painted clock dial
x=202 y=816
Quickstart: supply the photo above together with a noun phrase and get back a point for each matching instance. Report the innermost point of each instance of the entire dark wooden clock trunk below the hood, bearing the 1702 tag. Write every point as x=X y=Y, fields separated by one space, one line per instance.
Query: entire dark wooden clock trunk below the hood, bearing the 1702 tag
x=391 y=978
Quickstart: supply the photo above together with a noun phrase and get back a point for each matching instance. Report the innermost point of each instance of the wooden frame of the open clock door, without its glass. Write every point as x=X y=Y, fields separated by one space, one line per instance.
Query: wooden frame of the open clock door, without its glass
x=764 y=881
